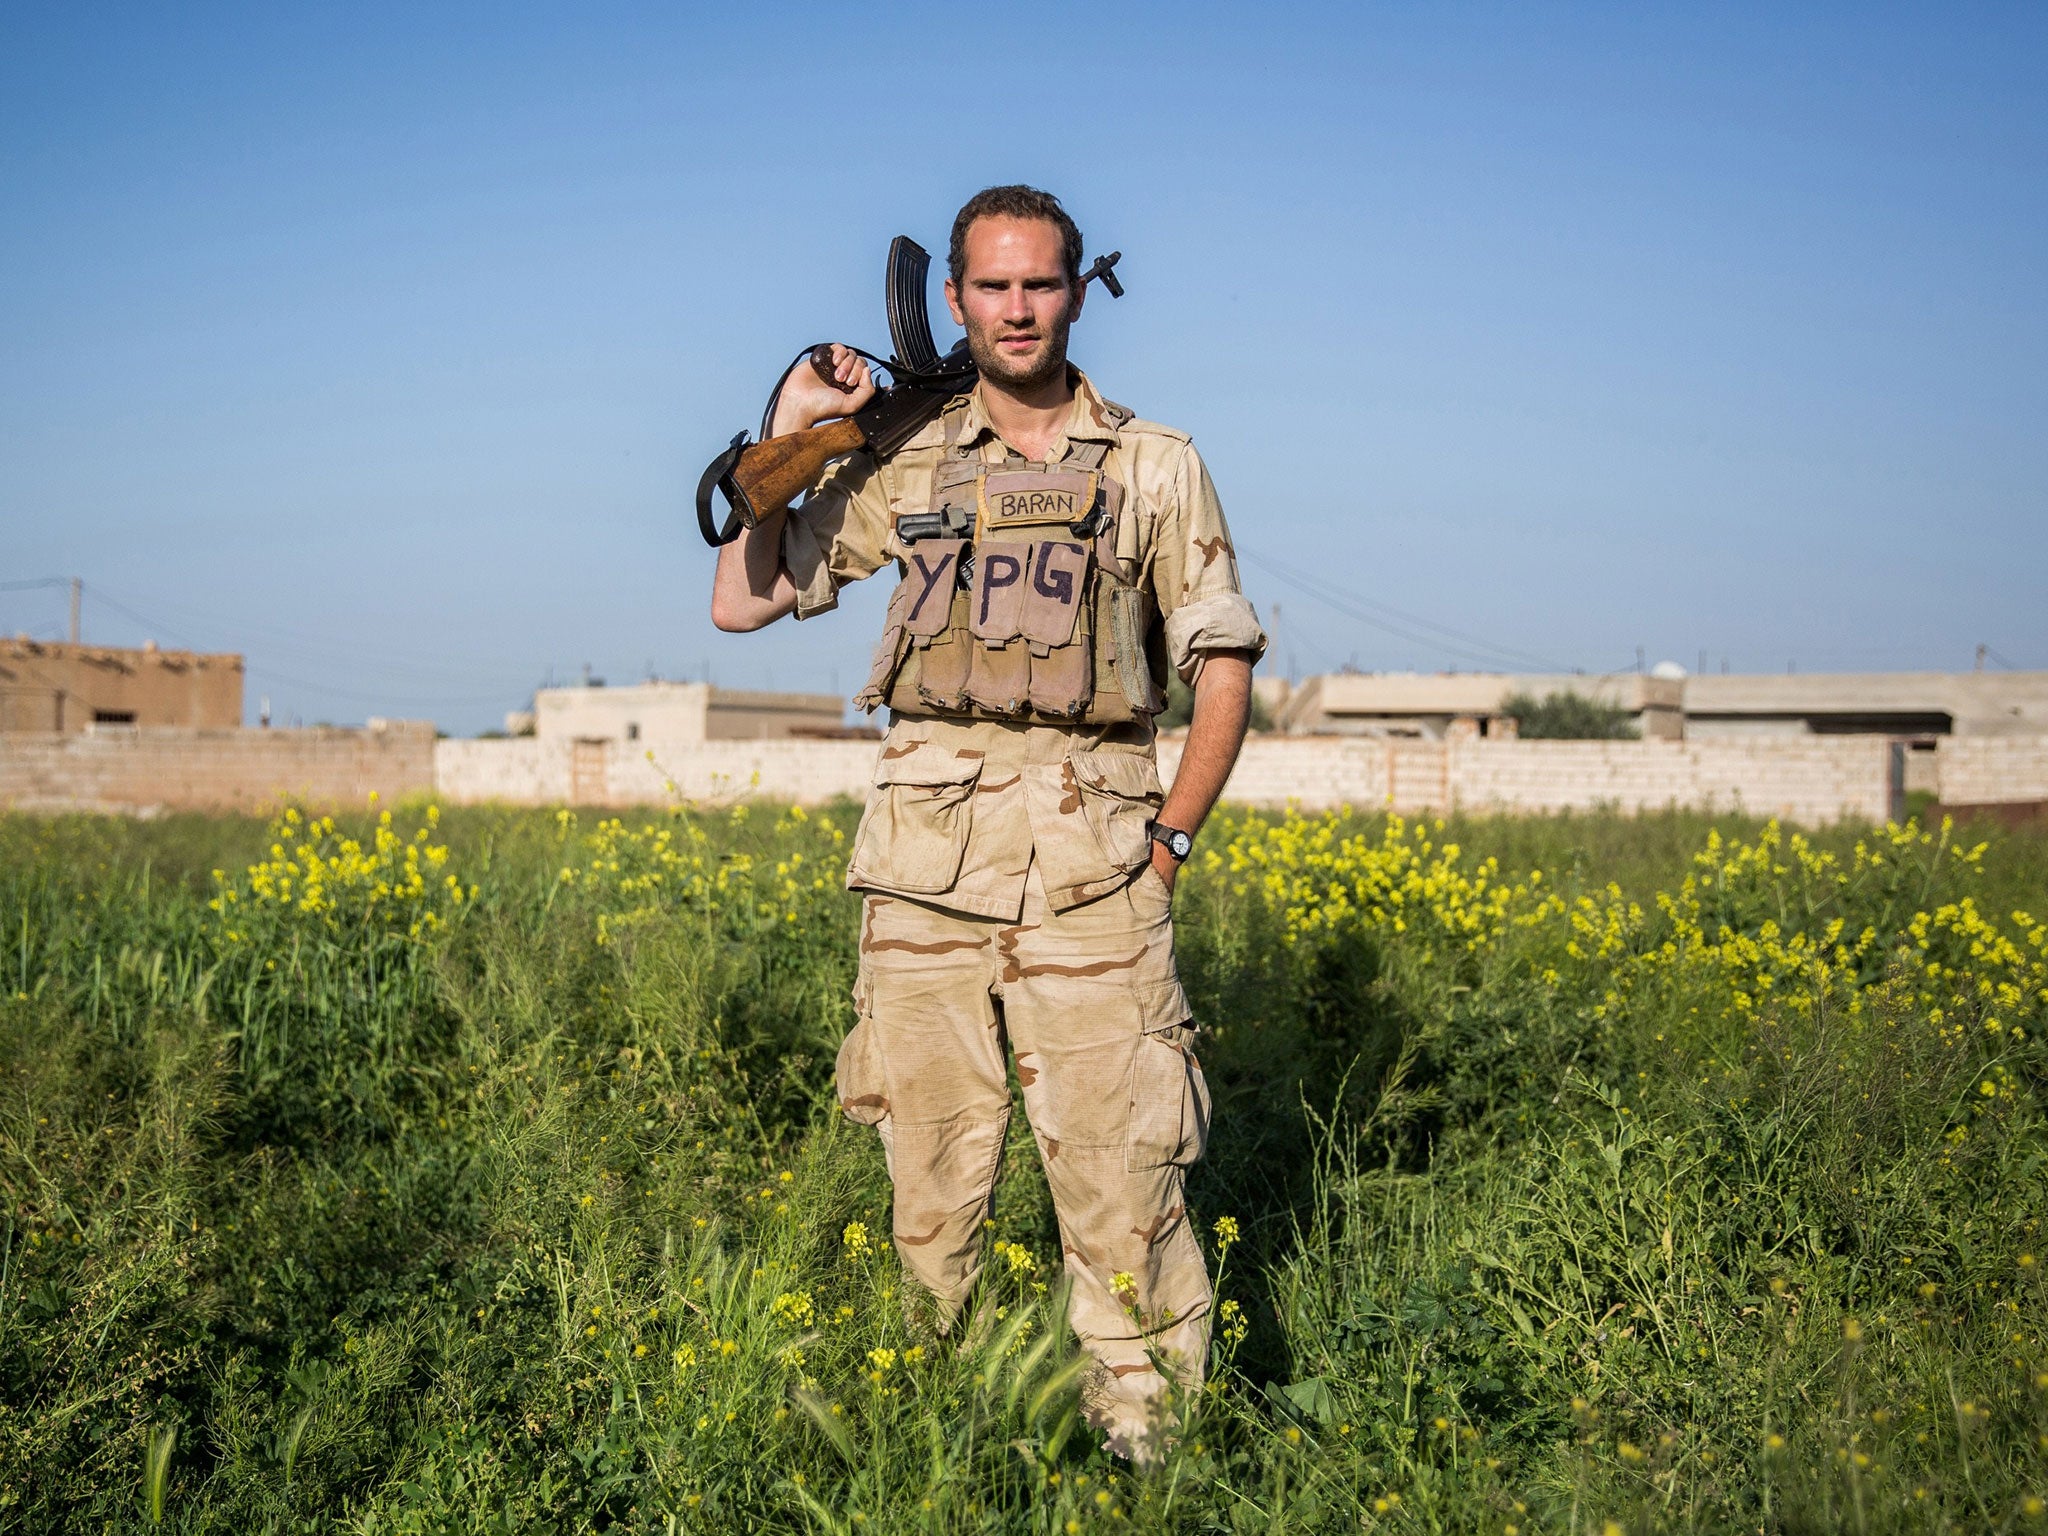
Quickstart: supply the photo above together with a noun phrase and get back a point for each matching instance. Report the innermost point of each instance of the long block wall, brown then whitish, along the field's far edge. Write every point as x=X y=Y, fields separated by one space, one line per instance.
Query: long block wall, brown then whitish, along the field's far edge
x=1805 y=781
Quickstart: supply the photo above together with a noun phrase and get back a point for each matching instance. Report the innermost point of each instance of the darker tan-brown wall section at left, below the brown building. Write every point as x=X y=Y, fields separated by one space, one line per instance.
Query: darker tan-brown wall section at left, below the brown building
x=181 y=769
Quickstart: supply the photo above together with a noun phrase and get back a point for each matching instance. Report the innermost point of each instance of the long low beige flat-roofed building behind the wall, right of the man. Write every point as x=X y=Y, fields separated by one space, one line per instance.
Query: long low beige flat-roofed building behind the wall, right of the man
x=1670 y=706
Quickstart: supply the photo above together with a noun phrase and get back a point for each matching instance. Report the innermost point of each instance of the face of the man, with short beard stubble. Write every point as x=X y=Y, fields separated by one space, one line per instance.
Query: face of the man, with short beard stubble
x=1015 y=302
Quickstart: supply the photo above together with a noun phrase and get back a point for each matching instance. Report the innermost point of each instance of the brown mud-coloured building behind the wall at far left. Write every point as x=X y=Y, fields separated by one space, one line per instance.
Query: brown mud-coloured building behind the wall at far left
x=50 y=687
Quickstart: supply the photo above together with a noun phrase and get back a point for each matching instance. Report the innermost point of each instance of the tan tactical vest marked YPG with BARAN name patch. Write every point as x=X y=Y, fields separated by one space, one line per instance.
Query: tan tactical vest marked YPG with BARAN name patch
x=1015 y=601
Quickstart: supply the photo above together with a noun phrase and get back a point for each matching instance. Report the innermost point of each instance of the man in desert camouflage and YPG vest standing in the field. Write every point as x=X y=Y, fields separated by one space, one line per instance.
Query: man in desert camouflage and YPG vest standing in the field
x=1019 y=855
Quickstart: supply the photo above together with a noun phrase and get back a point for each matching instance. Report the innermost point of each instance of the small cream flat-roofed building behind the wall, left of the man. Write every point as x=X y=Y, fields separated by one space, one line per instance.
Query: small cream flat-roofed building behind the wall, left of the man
x=677 y=714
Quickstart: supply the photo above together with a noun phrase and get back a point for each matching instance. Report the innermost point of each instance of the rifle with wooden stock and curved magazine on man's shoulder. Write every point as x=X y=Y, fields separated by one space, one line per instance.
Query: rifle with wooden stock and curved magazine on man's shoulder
x=759 y=478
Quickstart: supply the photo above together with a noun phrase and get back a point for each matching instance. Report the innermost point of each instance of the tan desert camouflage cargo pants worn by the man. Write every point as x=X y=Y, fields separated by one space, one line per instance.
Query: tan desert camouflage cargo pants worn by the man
x=1093 y=1011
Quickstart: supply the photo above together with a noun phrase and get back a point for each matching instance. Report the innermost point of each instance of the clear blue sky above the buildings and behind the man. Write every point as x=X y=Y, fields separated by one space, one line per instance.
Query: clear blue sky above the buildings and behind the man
x=384 y=345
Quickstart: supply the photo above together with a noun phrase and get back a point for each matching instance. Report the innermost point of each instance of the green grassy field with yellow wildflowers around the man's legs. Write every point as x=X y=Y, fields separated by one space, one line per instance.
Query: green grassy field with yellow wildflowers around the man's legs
x=480 y=1175
